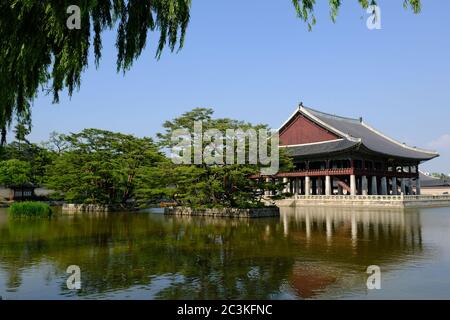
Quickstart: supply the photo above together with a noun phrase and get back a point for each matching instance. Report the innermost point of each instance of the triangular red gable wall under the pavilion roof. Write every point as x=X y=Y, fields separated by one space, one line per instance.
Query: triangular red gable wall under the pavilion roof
x=302 y=130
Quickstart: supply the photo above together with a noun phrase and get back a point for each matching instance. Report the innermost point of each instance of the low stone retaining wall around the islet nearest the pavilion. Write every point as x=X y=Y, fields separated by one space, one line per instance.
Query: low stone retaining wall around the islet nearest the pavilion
x=225 y=212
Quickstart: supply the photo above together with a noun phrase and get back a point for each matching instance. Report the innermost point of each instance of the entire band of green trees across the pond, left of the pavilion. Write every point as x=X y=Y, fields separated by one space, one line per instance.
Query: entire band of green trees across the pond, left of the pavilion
x=103 y=167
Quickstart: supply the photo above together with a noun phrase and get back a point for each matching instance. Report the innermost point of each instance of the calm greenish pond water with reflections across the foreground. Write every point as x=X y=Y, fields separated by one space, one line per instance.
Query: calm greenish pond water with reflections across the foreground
x=308 y=253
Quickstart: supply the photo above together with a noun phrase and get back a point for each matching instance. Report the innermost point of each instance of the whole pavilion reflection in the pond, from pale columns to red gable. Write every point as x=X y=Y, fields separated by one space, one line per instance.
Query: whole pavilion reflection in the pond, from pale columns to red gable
x=340 y=243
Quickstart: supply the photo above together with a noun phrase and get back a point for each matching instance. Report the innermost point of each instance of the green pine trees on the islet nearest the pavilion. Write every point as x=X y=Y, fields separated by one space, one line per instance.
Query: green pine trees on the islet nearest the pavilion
x=216 y=185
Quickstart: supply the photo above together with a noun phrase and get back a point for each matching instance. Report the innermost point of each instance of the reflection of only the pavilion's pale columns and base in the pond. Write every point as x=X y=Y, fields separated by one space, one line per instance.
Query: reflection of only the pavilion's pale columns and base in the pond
x=397 y=228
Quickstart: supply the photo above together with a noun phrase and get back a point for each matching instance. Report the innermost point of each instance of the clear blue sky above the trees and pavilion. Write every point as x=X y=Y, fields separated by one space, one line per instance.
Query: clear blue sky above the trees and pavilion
x=255 y=61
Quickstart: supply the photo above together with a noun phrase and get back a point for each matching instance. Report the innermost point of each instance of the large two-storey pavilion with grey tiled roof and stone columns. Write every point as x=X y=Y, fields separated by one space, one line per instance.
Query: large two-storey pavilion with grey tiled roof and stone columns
x=335 y=155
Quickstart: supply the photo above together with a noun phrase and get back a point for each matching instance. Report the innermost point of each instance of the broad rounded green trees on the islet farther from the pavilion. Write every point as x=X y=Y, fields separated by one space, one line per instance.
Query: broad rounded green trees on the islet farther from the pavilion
x=101 y=167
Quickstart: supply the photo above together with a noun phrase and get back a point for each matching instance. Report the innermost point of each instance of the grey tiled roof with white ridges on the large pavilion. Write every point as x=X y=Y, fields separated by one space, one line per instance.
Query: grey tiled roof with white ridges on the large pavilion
x=353 y=133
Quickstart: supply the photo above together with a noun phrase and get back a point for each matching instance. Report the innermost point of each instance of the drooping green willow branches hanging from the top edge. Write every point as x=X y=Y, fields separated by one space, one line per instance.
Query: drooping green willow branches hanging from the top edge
x=37 y=49
